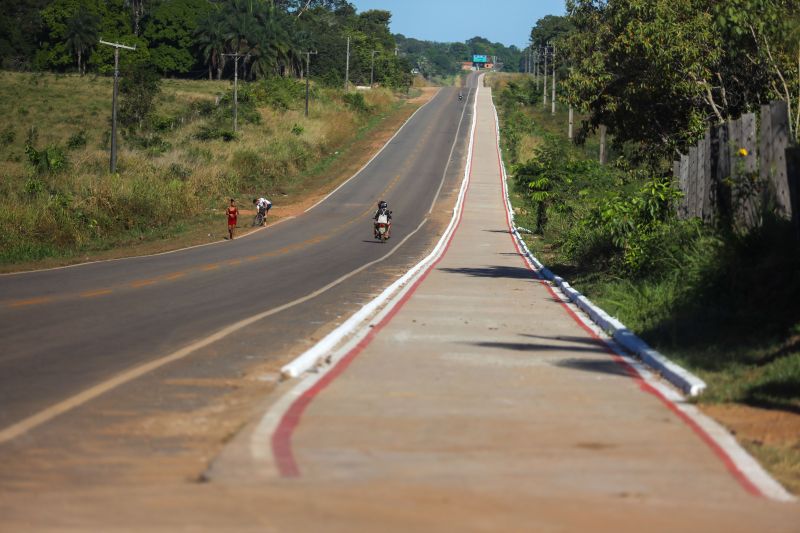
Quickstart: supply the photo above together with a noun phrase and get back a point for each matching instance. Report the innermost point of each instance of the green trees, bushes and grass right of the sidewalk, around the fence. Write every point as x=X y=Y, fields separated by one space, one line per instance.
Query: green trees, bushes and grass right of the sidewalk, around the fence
x=721 y=301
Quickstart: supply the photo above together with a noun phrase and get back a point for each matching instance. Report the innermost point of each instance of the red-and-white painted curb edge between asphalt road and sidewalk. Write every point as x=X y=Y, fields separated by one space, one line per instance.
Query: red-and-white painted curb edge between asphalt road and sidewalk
x=331 y=356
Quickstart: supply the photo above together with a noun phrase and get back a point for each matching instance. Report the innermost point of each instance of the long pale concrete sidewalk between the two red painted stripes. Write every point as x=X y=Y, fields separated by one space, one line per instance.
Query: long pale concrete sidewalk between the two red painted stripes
x=484 y=405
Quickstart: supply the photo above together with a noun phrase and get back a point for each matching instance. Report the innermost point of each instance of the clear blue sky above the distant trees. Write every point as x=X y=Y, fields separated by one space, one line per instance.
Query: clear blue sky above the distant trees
x=504 y=21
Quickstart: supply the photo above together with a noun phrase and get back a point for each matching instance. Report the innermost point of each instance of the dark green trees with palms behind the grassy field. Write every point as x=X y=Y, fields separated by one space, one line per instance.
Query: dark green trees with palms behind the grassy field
x=195 y=38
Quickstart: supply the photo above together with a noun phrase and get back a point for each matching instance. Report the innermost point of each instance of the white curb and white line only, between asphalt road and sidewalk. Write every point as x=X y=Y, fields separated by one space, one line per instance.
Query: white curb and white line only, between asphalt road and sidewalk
x=261 y=452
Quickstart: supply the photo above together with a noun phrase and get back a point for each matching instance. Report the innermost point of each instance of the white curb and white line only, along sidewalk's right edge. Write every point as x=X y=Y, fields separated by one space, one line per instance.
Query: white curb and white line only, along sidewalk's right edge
x=623 y=339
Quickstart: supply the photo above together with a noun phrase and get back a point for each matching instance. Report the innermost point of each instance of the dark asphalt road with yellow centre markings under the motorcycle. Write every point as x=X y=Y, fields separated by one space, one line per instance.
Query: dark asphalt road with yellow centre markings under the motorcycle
x=66 y=330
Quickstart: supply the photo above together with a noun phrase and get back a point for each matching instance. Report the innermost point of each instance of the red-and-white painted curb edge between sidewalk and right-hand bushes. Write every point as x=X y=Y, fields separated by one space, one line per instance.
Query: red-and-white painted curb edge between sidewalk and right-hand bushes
x=744 y=468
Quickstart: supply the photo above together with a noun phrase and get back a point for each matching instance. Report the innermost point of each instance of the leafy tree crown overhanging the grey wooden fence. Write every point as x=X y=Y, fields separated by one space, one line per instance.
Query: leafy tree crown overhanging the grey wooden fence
x=657 y=73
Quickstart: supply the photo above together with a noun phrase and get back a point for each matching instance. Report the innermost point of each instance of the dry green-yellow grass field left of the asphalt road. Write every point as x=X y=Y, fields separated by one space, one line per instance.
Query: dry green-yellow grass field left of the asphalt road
x=59 y=200
